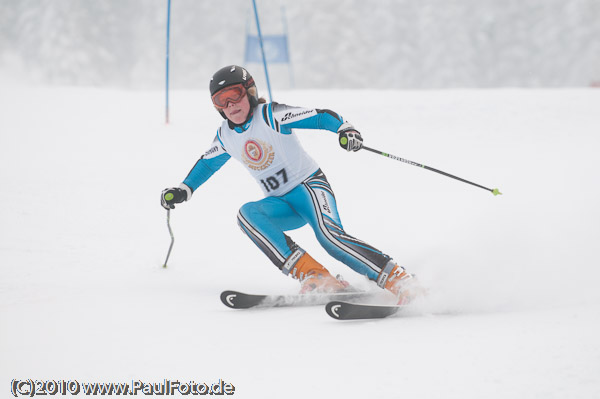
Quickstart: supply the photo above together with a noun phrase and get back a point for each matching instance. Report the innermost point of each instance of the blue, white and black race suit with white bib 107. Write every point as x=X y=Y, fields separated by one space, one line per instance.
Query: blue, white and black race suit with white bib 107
x=296 y=190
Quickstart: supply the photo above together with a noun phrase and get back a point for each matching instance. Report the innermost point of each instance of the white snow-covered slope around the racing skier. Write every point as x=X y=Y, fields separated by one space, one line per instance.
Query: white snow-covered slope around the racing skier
x=514 y=305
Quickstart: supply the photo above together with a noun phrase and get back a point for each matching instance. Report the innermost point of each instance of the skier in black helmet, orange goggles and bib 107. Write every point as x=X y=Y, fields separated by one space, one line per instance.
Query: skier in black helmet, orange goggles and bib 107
x=260 y=136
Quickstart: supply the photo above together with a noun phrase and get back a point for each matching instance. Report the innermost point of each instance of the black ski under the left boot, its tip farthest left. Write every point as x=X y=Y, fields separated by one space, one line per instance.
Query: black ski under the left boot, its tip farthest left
x=240 y=300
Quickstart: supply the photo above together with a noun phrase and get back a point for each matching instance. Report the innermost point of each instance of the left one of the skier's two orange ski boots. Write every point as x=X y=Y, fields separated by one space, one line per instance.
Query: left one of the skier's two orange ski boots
x=314 y=277
